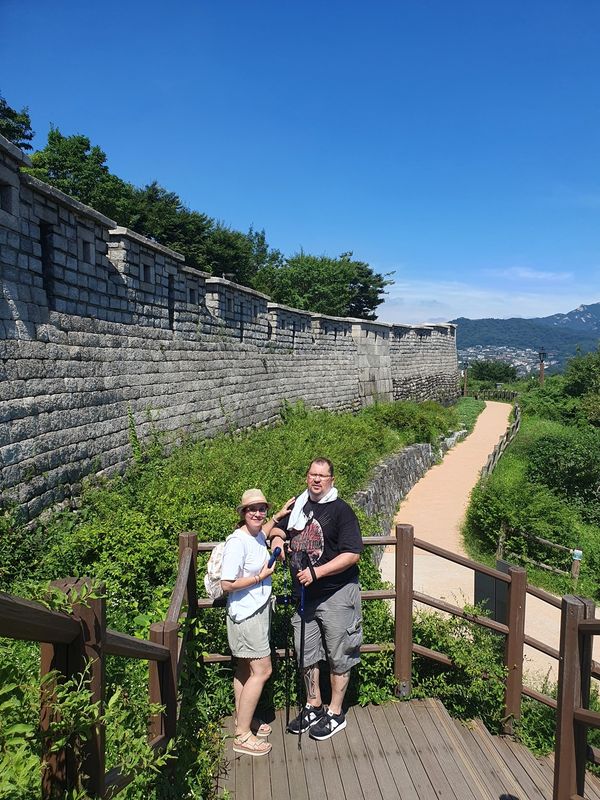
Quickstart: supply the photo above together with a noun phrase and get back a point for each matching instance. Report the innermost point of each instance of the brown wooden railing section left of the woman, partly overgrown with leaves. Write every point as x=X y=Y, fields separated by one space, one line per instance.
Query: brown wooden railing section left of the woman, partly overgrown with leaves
x=70 y=644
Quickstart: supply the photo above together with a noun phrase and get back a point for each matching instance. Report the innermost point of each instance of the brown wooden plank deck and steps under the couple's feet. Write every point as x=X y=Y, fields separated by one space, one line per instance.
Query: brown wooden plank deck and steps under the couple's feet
x=399 y=751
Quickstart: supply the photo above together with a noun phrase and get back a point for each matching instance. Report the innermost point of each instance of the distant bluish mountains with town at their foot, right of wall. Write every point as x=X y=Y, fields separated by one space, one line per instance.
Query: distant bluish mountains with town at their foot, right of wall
x=560 y=334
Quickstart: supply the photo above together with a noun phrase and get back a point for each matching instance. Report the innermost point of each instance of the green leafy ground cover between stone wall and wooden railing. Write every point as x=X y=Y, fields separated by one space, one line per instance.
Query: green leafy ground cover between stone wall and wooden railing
x=124 y=533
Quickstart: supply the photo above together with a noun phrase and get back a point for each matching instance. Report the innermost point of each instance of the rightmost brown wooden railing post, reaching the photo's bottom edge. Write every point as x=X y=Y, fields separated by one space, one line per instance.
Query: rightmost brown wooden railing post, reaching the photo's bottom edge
x=569 y=697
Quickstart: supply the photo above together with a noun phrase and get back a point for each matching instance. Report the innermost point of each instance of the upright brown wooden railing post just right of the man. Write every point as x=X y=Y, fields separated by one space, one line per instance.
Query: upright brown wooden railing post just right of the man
x=403 y=610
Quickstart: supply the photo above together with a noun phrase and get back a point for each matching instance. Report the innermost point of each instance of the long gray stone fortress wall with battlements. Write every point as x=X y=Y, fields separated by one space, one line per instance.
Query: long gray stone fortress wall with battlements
x=100 y=326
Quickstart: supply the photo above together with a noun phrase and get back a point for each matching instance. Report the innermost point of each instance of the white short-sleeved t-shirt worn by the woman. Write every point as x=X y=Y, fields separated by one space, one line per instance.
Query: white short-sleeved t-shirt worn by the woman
x=244 y=555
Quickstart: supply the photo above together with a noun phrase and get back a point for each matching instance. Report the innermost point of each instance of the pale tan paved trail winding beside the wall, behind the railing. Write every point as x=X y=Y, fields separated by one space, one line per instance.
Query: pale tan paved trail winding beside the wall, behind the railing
x=436 y=507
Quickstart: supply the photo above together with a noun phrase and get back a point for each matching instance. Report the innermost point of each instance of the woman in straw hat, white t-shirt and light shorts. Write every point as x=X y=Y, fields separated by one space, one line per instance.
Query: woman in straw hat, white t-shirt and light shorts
x=246 y=578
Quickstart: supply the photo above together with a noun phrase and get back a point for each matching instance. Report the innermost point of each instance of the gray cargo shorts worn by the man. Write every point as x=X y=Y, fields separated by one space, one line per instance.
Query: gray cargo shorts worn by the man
x=333 y=630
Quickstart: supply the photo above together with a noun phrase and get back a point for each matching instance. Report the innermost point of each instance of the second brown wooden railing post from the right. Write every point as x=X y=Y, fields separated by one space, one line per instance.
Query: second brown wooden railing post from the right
x=513 y=651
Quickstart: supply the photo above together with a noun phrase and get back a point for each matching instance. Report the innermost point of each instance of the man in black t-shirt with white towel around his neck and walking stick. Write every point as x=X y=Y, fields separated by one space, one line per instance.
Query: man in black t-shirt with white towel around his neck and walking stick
x=325 y=544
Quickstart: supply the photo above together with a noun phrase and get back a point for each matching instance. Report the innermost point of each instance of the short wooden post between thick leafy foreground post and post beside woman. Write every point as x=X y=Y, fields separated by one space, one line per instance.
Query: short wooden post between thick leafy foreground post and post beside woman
x=163 y=680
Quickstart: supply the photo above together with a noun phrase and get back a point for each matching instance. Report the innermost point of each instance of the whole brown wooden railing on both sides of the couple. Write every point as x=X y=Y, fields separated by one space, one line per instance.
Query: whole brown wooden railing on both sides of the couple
x=68 y=643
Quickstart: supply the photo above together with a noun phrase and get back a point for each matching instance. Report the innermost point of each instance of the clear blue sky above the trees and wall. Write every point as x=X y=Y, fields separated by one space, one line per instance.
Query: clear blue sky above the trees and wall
x=453 y=144
